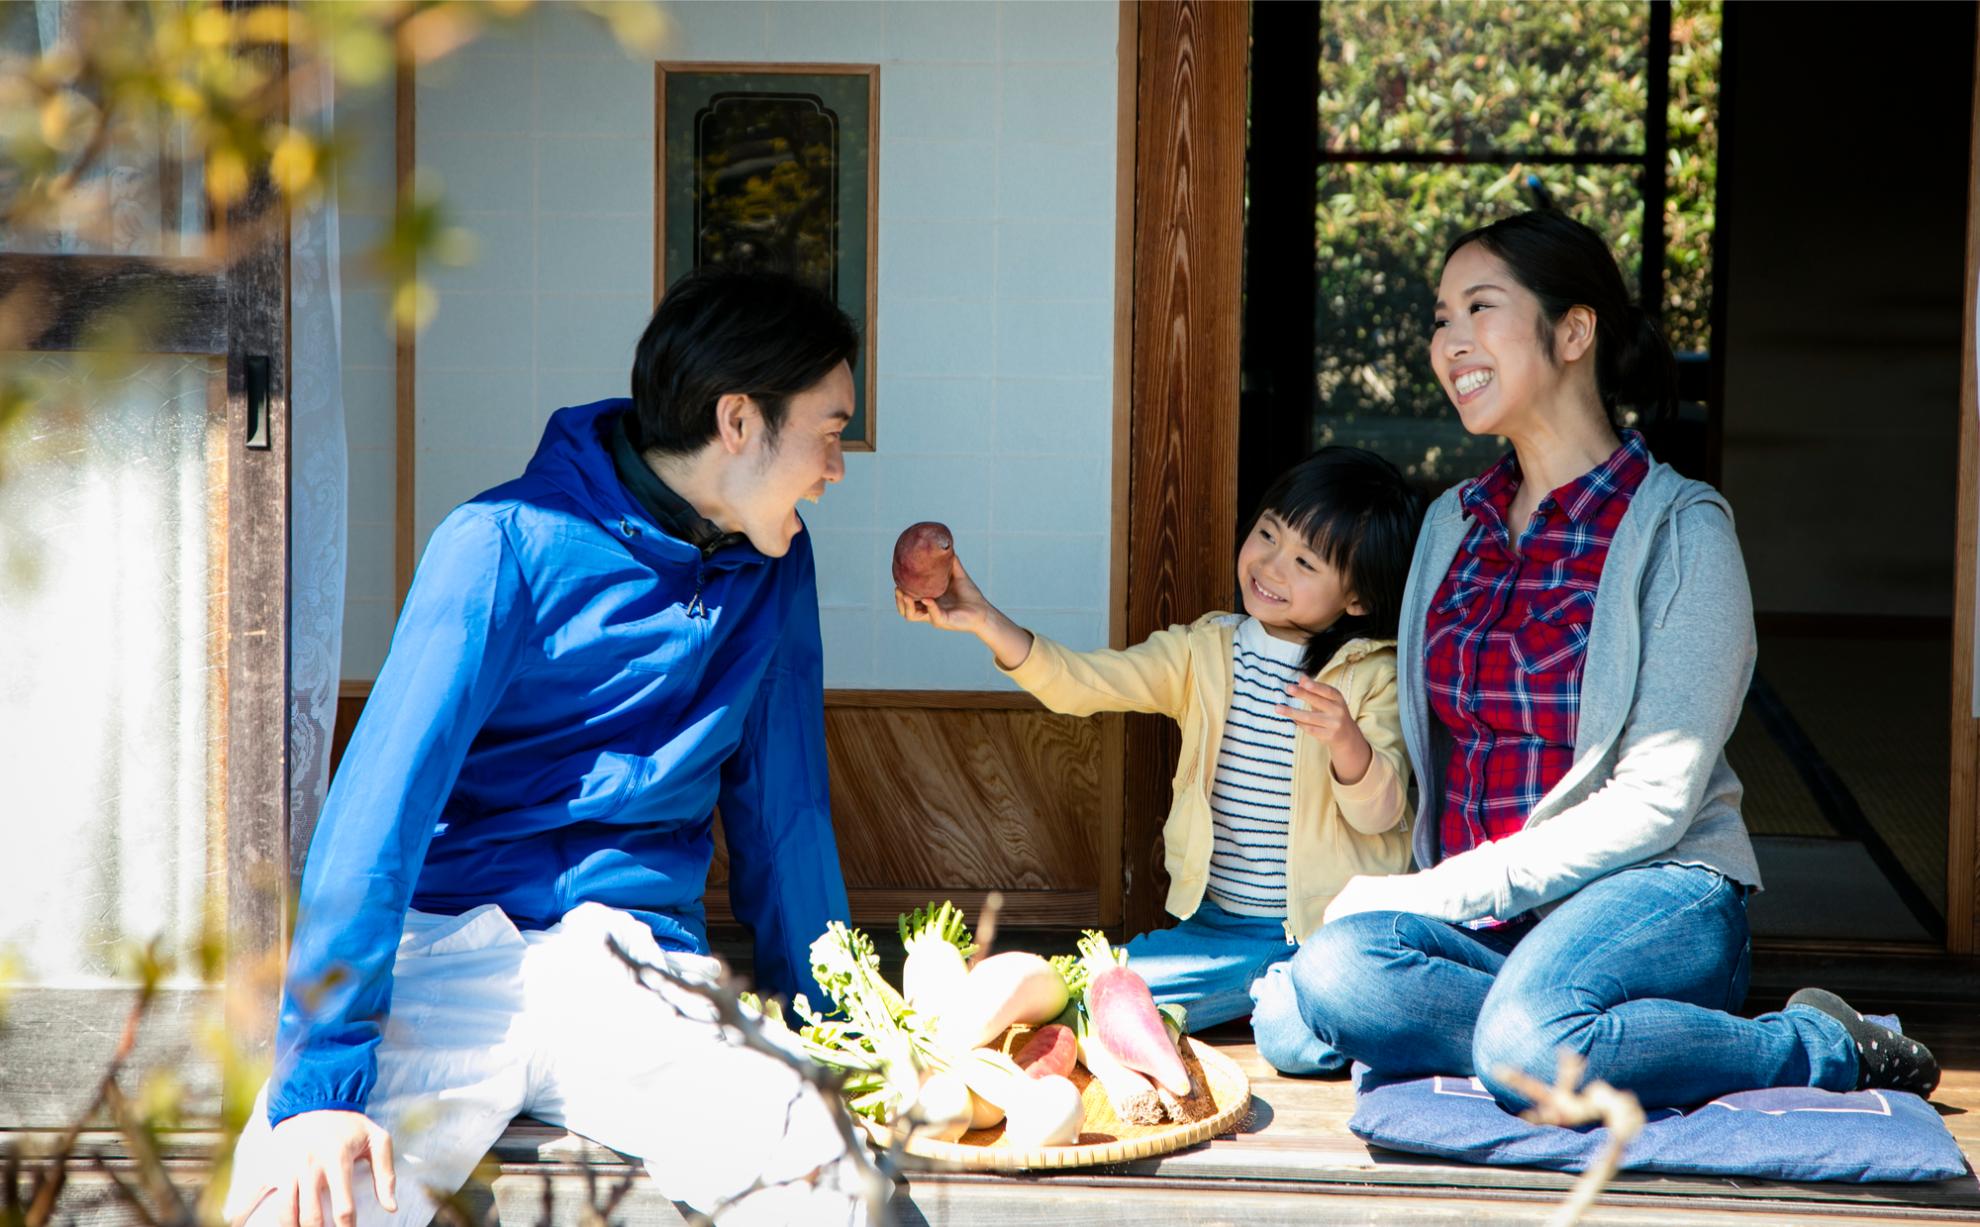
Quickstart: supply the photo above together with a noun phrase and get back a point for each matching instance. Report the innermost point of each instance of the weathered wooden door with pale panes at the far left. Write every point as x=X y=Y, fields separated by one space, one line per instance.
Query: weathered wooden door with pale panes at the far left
x=144 y=539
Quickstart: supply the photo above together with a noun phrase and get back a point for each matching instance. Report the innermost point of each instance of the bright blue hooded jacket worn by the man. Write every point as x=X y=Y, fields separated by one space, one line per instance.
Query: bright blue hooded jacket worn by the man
x=569 y=696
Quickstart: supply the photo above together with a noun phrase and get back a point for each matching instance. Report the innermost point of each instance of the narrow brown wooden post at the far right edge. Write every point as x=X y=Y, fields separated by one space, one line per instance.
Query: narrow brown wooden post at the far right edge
x=1963 y=834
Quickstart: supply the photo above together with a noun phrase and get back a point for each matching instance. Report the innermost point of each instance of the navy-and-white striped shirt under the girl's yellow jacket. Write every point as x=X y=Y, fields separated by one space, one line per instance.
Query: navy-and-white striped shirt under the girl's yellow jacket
x=1252 y=791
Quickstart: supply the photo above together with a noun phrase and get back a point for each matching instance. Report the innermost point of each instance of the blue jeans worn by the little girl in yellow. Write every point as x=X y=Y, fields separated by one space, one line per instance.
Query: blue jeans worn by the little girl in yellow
x=1223 y=967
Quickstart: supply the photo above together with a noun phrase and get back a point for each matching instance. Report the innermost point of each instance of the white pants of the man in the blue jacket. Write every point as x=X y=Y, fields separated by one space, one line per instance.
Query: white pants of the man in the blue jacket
x=490 y=1024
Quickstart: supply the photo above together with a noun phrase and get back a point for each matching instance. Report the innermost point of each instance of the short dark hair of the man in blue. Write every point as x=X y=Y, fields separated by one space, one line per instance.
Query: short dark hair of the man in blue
x=722 y=331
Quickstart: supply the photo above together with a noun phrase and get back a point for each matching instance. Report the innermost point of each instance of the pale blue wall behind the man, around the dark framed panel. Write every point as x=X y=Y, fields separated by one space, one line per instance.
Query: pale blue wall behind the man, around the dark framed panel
x=995 y=331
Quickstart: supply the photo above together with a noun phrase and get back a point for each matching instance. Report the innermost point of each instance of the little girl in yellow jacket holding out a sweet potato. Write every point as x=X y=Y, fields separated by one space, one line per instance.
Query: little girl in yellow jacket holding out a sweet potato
x=1294 y=775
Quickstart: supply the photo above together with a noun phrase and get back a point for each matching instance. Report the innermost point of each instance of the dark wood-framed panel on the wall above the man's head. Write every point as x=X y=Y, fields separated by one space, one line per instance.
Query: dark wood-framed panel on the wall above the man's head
x=775 y=167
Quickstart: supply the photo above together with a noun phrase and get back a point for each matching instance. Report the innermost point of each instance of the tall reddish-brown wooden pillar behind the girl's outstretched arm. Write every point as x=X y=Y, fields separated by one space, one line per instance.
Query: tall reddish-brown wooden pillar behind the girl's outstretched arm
x=1183 y=417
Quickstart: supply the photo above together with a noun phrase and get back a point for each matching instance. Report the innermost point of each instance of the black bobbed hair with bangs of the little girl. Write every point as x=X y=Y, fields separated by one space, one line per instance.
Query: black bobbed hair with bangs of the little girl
x=1361 y=516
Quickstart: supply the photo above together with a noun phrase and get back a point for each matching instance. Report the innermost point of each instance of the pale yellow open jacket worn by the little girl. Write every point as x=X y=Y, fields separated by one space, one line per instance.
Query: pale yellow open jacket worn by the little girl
x=1185 y=674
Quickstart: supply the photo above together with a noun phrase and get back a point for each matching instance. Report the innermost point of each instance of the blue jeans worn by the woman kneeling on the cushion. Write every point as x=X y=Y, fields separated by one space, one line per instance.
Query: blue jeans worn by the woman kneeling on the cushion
x=1638 y=973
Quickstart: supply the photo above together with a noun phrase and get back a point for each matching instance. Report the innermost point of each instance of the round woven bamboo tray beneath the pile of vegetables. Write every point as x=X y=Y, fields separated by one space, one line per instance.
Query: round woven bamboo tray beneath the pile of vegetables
x=1223 y=1097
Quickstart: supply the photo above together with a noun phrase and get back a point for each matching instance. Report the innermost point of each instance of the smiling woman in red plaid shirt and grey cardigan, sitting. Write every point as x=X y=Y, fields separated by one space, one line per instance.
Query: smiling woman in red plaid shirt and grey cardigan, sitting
x=1575 y=648
